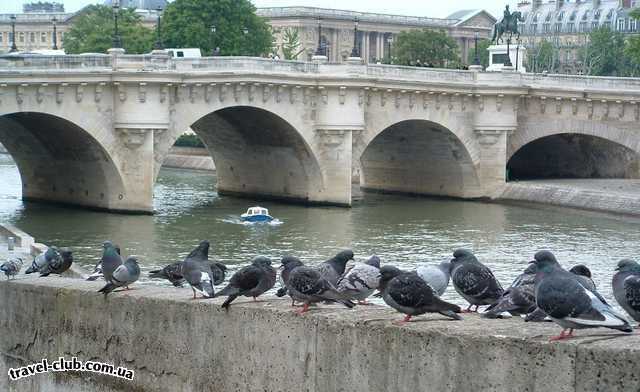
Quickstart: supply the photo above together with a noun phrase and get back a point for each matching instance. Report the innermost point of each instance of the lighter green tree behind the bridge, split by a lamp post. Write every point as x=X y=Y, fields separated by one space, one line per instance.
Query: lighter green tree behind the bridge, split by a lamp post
x=93 y=31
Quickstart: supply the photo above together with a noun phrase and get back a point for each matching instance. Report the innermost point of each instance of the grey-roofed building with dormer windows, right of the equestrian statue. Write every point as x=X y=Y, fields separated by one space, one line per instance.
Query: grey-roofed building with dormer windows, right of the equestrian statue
x=567 y=24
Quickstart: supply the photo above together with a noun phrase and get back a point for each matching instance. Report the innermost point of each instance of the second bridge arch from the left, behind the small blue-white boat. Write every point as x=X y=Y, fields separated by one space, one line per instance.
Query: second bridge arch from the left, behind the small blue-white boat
x=258 y=152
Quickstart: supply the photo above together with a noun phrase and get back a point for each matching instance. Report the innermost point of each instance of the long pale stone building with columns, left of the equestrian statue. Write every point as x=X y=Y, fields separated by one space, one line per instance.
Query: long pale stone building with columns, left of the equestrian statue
x=375 y=31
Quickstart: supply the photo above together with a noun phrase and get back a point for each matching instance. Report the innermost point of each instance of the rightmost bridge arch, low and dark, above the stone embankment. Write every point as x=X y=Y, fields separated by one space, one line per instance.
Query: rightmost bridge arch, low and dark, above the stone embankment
x=572 y=149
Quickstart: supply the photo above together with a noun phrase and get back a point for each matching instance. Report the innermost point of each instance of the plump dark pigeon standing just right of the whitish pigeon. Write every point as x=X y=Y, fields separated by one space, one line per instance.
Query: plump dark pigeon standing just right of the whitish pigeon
x=473 y=280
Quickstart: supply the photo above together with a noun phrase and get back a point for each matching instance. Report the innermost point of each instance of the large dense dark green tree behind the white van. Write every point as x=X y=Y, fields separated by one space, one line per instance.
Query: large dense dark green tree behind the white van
x=230 y=25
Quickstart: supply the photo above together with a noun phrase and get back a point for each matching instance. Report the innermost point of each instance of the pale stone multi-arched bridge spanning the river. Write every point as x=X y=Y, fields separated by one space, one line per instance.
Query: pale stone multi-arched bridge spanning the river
x=93 y=131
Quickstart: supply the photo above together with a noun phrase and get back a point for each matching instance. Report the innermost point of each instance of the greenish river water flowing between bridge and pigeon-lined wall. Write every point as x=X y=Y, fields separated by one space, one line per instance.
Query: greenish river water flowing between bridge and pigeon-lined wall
x=403 y=231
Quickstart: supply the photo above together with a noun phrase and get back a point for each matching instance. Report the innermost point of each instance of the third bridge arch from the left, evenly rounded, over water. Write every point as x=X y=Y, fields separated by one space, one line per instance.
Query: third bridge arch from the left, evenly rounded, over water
x=418 y=156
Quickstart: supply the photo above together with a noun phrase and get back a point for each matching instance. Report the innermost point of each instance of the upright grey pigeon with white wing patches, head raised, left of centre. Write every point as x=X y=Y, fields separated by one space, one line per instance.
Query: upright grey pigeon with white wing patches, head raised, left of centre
x=197 y=272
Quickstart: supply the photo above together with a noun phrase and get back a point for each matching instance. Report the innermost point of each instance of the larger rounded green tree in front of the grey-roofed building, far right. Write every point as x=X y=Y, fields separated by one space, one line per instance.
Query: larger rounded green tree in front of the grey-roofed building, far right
x=603 y=55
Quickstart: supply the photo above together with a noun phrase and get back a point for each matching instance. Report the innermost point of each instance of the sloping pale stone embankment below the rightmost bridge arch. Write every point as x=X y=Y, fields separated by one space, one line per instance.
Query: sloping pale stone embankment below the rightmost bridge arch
x=621 y=197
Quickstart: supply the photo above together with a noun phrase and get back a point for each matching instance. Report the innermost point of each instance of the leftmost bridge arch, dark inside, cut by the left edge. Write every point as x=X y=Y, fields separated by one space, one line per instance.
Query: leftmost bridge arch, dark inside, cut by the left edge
x=62 y=161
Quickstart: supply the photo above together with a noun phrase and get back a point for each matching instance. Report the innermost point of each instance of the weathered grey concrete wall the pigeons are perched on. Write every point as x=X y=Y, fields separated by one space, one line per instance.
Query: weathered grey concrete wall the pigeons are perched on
x=176 y=344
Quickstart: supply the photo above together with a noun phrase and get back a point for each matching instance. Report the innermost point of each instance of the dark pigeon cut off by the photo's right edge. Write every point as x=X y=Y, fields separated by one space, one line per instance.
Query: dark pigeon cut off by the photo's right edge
x=626 y=287
